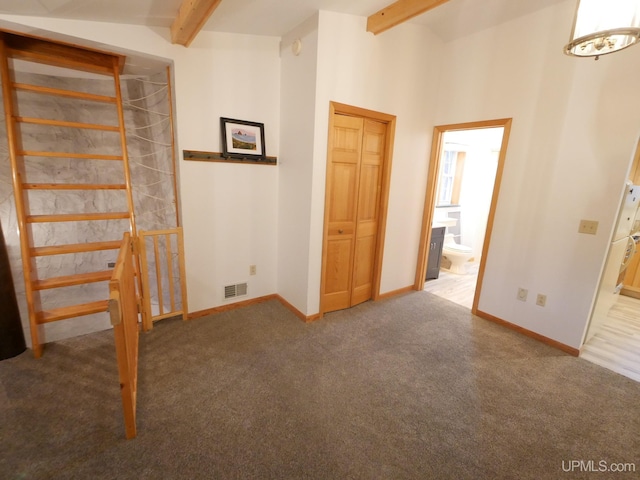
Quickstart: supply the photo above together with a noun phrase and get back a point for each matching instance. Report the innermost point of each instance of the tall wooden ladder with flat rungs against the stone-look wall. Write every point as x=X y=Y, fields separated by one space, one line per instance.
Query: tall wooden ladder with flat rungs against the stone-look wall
x=67 y=56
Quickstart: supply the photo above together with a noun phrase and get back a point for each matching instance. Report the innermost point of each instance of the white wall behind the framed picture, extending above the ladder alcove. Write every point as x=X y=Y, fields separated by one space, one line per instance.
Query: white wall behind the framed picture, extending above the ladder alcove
x=229 y=211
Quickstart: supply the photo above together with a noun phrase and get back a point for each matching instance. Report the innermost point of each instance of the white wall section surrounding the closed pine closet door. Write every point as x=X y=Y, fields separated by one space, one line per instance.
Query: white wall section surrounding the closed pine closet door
x=394 y=73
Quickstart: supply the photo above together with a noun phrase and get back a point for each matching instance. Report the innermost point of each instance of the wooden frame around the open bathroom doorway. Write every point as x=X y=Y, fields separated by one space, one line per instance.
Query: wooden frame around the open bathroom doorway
x=430 y=197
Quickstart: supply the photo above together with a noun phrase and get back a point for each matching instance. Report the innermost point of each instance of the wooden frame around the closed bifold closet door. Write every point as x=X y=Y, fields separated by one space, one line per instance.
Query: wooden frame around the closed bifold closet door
x=390 y=121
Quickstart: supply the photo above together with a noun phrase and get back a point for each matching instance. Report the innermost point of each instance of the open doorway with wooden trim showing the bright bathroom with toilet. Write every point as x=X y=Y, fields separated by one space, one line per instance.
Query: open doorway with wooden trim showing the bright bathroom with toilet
x=462 y=191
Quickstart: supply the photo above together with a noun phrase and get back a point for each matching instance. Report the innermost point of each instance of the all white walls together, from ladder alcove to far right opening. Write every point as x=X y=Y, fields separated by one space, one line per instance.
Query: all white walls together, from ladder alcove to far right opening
x=575 y=124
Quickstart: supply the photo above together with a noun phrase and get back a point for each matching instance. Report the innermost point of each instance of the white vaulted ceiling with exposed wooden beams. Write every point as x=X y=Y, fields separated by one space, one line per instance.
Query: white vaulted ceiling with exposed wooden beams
x=449 y=19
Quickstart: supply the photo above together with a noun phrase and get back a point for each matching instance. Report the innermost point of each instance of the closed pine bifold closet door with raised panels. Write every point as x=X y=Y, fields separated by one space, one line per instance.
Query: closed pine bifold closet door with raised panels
x=354 y=181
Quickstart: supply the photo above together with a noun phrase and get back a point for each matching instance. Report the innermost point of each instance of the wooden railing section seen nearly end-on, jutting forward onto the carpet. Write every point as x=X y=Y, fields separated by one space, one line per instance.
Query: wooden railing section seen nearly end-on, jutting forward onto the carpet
x=123 y=308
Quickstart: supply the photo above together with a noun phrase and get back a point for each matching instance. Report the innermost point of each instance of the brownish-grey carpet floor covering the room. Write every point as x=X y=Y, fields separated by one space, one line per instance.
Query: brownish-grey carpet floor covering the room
x=413 y=387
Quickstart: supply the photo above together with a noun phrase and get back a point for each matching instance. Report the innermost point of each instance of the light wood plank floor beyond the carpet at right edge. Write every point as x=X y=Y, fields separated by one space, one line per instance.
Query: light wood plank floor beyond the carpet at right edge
x=617 y=345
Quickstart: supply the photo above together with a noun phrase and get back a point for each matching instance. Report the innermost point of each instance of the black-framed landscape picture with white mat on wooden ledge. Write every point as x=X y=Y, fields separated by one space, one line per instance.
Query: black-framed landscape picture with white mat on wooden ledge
x=242 y=140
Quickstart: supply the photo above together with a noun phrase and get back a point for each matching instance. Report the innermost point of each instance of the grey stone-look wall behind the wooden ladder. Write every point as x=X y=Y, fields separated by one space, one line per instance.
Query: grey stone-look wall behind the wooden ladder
x=148 y=127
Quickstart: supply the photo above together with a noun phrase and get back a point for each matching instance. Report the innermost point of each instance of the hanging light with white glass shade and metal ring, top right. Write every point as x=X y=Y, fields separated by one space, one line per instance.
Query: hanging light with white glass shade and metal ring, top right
x=604 y=26
